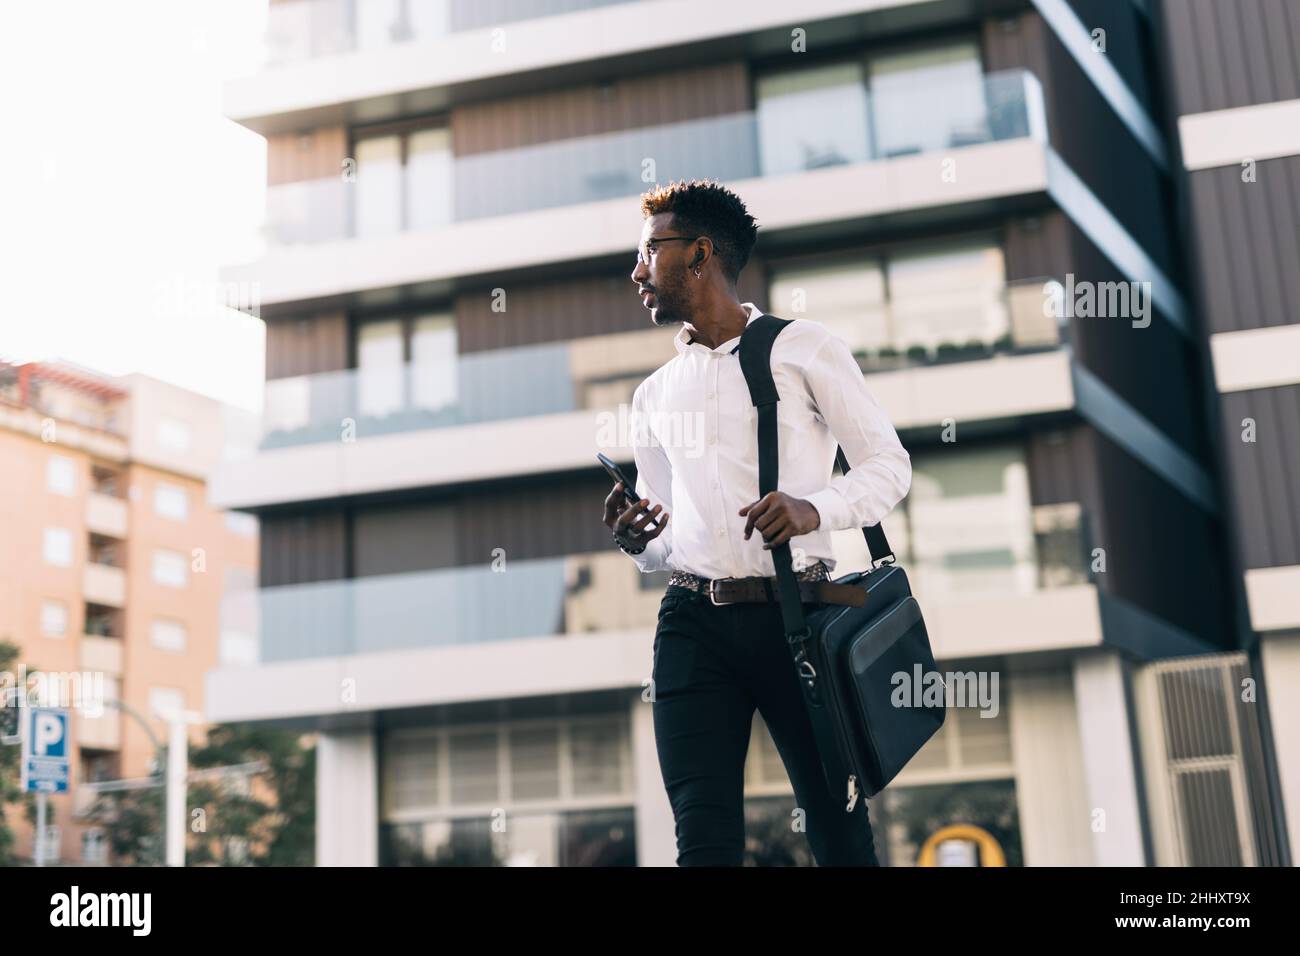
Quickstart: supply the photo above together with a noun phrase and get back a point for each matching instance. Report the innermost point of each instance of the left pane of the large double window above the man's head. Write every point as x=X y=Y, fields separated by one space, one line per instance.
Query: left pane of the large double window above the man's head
x=813 y=118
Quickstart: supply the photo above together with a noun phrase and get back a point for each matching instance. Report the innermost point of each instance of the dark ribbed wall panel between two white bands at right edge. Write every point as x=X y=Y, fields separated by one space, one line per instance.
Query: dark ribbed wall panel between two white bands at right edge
x=1247 y=244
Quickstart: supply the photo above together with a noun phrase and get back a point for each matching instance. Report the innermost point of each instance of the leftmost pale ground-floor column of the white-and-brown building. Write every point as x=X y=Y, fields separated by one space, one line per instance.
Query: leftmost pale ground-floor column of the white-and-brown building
x=348 y=819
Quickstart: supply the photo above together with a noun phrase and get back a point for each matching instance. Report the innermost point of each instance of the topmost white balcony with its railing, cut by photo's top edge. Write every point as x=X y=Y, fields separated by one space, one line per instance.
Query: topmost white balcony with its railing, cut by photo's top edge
x=328 y=68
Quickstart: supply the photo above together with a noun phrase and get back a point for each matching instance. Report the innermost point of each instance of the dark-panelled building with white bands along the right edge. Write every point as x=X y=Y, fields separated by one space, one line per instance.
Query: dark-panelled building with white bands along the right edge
x=1234 y=79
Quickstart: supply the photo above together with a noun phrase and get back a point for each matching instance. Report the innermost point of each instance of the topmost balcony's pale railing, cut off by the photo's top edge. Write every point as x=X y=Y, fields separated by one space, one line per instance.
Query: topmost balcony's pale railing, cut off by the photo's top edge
x=307 y=29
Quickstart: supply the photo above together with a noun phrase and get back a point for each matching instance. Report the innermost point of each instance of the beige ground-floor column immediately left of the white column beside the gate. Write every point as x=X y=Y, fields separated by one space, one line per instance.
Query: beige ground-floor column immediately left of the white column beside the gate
x=1051 y=795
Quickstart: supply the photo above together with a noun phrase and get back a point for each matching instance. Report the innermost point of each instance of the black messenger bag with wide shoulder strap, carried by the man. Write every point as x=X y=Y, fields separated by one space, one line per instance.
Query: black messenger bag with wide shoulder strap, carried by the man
x=848 y=659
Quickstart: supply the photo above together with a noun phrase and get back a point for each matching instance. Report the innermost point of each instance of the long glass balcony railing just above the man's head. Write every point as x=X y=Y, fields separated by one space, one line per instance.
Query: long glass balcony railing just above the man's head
x=612 y=166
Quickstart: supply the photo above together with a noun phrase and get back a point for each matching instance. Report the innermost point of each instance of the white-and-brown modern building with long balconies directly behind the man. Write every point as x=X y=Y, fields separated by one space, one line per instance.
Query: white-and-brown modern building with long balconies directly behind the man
x=452 y=335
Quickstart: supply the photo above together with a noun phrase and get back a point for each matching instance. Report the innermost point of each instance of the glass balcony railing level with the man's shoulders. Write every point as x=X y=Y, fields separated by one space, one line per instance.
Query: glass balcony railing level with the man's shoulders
x=601 y=373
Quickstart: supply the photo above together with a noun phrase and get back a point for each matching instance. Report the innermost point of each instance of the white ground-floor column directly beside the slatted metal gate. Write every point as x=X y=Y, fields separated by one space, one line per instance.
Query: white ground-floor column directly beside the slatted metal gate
x=1108 y=737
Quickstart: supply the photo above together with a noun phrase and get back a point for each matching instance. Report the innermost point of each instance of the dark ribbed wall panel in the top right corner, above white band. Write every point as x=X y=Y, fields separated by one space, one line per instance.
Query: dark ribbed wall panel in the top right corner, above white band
x=1223 y=54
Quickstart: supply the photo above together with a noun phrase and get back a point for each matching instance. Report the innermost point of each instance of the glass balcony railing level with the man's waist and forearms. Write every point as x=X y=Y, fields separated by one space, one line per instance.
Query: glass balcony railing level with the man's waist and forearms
x=989 y=546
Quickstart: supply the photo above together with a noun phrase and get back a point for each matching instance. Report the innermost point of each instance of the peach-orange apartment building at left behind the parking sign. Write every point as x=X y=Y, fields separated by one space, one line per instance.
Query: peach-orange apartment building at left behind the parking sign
x=114 y=566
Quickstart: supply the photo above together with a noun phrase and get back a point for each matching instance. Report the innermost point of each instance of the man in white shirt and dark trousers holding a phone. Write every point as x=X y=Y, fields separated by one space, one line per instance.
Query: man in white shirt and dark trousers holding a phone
x=716 y=663
